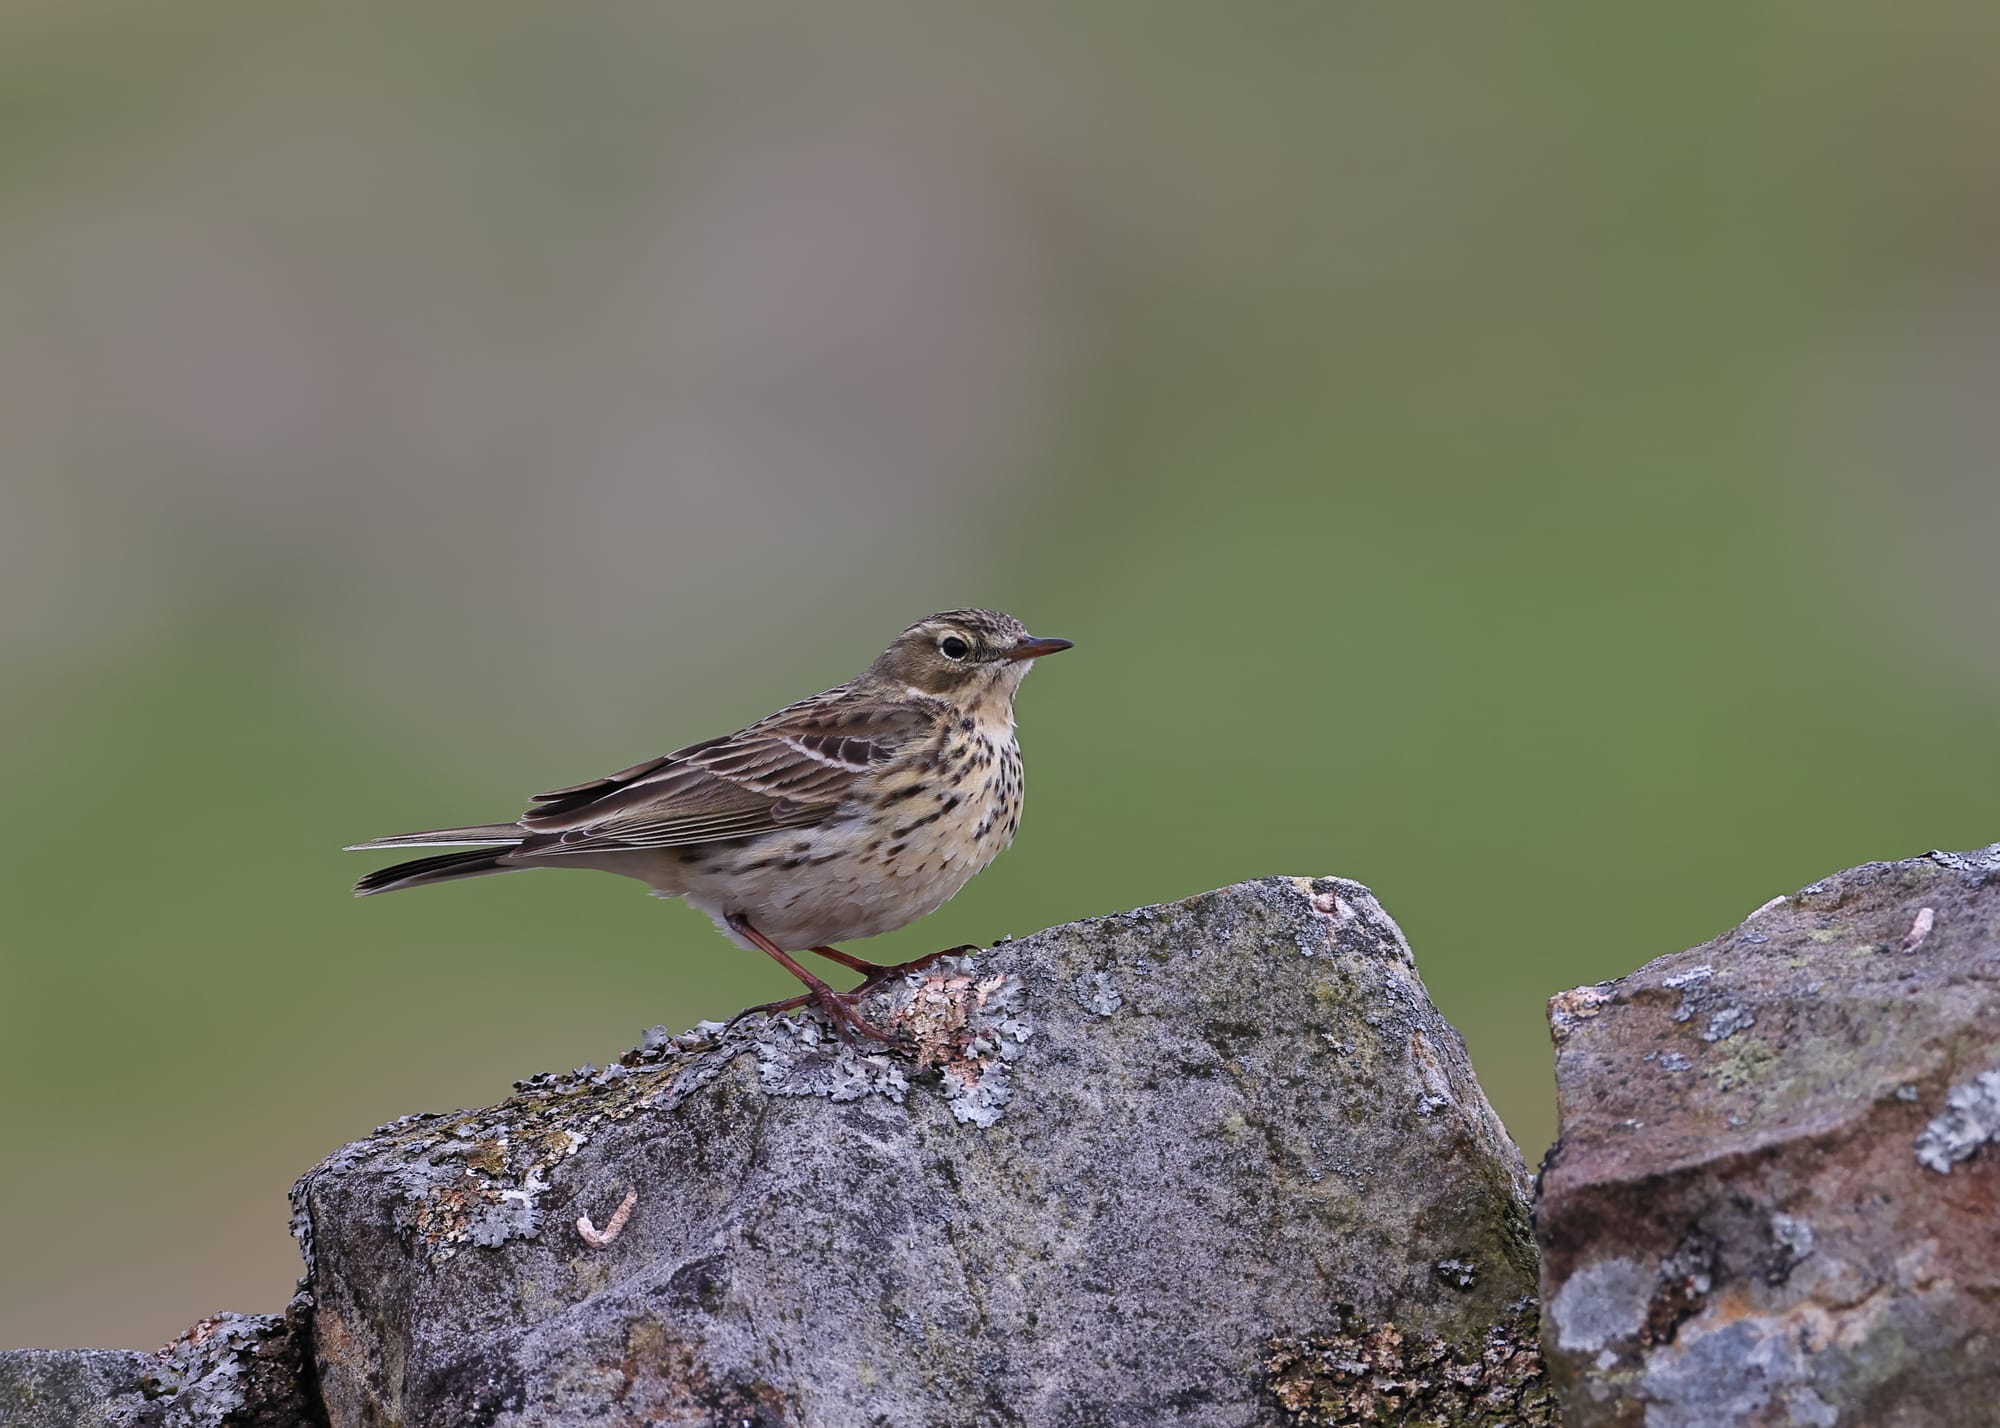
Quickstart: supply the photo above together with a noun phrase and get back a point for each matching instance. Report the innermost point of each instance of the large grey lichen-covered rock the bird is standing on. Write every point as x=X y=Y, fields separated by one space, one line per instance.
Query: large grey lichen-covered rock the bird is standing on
x=1153 y=1169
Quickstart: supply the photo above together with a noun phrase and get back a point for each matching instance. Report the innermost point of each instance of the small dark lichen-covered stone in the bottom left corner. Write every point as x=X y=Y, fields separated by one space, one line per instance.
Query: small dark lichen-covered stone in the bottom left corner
x=233 y=1371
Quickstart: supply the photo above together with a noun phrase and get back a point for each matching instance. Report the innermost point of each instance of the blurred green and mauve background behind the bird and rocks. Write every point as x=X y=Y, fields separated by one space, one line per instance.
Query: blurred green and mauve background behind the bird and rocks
x=1537 y=463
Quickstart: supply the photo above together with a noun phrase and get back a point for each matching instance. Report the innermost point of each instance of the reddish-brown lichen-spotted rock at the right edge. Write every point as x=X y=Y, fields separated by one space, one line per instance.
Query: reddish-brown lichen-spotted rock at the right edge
x=1775 y=1197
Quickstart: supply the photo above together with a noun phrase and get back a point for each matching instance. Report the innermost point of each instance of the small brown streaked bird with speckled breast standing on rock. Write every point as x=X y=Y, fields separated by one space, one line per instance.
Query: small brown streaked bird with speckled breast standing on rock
x=841 y=817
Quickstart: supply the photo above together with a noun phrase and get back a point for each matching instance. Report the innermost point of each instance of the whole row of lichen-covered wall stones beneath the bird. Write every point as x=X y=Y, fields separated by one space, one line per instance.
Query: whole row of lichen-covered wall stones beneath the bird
x=1213 y=1163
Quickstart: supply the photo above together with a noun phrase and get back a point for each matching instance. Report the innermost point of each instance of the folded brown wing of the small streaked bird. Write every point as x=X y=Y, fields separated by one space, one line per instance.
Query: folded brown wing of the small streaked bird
x=787 y=771
